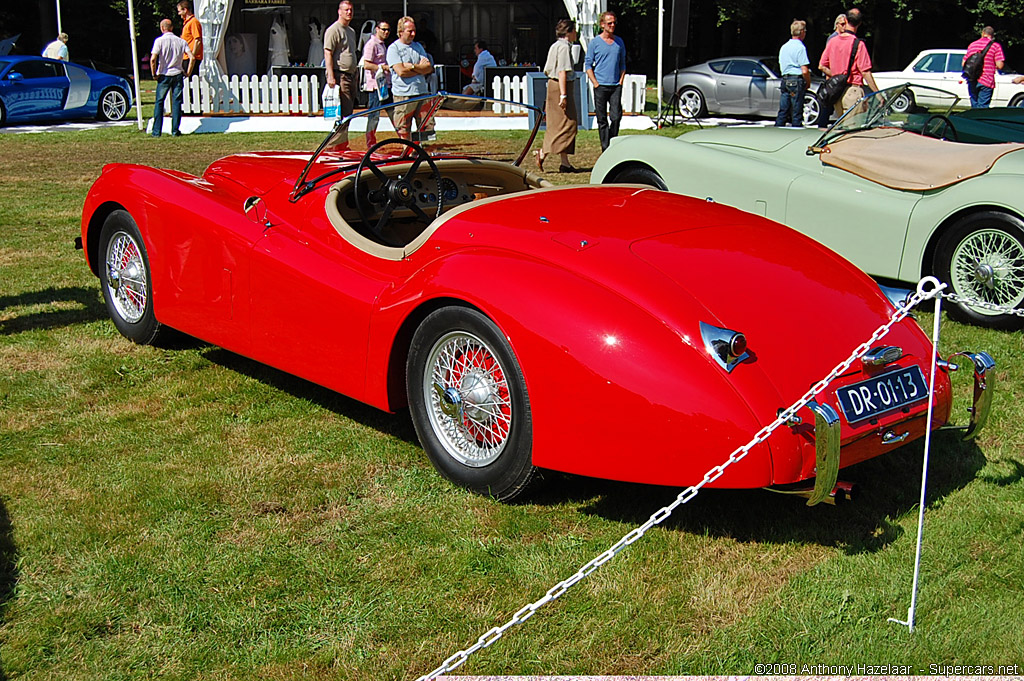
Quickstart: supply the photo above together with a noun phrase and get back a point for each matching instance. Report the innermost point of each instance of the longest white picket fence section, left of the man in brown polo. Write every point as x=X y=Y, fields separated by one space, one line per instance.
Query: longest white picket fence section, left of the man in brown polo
x=253 y=95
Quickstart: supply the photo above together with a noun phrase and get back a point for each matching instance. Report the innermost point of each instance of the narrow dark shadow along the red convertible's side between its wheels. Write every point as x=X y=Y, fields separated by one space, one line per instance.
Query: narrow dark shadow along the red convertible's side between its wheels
x=397 y=425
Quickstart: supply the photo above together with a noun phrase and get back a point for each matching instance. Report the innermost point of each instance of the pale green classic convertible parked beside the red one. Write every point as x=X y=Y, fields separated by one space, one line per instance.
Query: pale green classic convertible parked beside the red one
x=893 y=193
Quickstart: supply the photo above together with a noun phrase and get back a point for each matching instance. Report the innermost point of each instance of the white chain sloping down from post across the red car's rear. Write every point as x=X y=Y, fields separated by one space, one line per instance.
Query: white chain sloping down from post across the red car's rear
x=928 y=288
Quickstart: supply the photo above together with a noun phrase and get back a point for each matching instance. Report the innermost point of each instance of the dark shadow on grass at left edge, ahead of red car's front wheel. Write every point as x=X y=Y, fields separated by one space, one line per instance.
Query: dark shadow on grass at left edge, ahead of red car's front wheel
x=50 y=309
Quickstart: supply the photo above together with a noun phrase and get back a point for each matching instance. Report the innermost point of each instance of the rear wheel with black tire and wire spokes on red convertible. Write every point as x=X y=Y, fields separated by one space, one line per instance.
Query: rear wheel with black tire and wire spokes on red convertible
x=459 y=360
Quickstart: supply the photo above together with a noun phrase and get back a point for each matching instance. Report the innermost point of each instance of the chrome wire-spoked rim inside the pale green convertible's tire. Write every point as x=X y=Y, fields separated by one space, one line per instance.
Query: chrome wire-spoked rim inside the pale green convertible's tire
x=989 y=266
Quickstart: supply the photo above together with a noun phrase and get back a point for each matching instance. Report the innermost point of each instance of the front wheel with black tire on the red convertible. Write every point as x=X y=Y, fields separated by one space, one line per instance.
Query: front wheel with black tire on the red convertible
x=126 y=280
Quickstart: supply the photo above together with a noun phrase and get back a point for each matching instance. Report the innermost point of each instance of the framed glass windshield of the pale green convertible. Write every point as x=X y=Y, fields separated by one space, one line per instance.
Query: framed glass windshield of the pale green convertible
x=877 y=110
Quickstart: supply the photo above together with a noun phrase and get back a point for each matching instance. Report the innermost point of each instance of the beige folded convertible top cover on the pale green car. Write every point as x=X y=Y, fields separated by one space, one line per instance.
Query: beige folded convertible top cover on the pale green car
x=911 y=161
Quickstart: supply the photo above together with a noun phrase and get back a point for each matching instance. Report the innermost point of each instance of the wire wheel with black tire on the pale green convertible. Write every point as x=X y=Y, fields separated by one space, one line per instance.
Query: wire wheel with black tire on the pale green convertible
x=983 y=258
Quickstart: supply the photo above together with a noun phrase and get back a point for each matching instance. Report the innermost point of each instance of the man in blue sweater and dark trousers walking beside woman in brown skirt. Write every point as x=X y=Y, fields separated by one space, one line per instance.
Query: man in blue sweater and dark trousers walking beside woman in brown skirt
x=606 y=66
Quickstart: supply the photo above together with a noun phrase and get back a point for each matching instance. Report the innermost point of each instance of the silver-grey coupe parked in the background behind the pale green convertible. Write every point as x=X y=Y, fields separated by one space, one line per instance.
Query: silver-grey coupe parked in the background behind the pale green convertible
x=746 y=86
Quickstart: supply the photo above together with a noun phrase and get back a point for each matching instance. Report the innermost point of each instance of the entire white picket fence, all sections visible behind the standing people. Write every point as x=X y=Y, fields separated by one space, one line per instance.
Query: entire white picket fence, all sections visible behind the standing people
x=295 y=95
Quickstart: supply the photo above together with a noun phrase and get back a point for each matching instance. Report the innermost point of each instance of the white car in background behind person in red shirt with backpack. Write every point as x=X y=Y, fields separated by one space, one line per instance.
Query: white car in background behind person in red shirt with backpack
x=944 y=69
